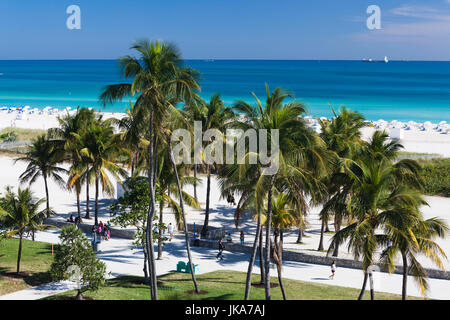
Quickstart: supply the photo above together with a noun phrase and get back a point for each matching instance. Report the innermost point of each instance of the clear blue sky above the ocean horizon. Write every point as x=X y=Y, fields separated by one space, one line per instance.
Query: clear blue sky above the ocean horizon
x=233 y=29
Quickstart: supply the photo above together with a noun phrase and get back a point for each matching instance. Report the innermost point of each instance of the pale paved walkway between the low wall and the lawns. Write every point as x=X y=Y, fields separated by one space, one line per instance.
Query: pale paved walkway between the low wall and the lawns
x=122 y=258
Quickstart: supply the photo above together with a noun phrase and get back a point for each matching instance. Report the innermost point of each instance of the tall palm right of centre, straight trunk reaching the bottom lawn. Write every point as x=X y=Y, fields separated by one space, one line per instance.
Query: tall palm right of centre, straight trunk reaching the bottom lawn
x=284 y=117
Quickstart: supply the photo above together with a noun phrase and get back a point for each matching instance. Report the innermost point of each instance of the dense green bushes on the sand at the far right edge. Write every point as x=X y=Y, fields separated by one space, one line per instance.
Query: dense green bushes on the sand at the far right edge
x=436 y=176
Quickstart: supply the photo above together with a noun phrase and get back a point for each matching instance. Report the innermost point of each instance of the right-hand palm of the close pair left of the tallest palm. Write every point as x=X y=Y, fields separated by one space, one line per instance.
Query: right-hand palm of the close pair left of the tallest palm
x=101 y=148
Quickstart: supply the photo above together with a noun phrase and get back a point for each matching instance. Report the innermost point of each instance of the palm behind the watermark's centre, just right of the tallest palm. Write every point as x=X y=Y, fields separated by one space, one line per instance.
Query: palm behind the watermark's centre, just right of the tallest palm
x=213 y=115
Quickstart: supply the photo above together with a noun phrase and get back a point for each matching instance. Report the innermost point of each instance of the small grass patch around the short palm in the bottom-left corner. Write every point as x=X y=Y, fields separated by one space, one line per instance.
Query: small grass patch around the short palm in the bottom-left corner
x=34 y=265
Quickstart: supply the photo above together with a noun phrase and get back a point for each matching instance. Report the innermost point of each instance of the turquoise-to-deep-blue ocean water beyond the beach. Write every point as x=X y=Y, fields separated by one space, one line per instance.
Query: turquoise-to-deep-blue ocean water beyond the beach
x=402 y=90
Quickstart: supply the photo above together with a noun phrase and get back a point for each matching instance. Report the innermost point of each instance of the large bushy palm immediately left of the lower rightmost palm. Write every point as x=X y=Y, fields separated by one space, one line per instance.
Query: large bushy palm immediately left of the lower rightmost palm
x=377 y=197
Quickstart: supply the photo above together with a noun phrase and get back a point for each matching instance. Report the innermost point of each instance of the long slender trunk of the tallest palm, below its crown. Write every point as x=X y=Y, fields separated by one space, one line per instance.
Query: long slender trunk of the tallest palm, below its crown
x=150 y=215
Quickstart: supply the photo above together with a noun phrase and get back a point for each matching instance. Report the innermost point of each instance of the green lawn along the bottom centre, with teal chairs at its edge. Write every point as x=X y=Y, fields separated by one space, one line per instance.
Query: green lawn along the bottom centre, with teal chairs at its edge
x=219 y=285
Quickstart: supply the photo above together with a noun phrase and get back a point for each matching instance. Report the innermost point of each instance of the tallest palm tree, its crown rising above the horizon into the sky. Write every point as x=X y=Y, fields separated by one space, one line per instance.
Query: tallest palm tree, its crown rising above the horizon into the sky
x=157 y=77
